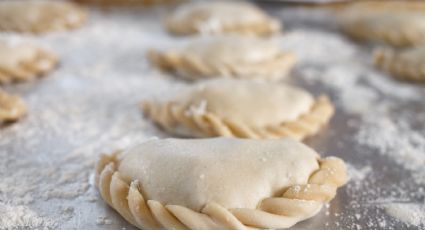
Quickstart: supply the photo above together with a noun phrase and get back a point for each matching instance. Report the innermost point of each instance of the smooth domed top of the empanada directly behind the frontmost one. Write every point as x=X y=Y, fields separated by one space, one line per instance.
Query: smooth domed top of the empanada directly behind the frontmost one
x=255 y=103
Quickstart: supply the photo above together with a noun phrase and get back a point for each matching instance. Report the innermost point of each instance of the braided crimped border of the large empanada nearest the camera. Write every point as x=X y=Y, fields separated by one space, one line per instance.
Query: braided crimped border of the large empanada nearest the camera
x=292 y=204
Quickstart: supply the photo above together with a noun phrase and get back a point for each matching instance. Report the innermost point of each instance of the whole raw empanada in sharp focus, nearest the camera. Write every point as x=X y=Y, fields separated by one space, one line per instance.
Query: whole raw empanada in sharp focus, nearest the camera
x=218 y=183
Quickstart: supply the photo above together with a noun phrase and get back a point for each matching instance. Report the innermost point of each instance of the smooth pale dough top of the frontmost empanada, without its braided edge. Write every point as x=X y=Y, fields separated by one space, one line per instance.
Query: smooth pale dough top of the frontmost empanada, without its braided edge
x=233 y=173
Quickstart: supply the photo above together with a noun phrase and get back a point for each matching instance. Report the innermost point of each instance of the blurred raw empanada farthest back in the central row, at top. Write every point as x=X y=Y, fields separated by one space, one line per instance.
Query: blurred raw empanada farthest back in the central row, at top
x=217 y=17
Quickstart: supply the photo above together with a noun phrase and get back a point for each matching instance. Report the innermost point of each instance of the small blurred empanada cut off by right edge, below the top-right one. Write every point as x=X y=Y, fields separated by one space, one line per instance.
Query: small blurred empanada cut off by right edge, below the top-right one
x=407 y=63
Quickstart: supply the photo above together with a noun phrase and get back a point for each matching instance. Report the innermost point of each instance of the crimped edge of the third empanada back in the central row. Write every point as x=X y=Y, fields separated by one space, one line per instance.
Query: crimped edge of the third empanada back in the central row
x=193 y=68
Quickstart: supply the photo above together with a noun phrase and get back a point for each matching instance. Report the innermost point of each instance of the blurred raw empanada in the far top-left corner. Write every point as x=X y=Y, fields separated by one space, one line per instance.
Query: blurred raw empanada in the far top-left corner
x=40 y=16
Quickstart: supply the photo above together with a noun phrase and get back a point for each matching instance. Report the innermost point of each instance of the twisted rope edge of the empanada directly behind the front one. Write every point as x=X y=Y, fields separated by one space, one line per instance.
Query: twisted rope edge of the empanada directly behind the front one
x=170 y=116
